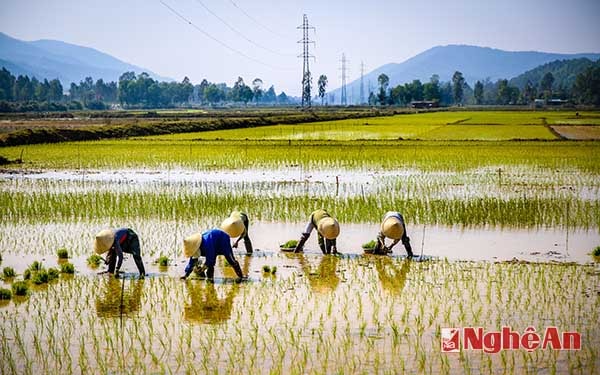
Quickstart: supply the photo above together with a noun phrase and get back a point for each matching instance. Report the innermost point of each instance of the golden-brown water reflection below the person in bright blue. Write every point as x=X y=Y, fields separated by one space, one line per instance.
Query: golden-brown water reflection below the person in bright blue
x=205 y=305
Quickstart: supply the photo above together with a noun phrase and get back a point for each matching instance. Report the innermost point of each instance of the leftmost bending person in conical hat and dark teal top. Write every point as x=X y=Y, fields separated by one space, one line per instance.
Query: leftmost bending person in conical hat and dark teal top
x=116 y=242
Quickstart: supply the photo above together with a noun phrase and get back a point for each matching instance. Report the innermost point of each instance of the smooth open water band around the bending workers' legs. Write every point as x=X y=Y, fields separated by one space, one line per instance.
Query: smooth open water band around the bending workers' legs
x=22 y=244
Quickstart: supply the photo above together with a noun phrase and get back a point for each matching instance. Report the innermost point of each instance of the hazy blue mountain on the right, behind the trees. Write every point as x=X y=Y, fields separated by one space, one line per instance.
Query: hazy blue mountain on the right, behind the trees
x=476 y=63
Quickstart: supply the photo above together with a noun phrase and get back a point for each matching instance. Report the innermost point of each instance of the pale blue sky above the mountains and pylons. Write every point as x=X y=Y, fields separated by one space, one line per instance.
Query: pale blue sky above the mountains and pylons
x=148 y=34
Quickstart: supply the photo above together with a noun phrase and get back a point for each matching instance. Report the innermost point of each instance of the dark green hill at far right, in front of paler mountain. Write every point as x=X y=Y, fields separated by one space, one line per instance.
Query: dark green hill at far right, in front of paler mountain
x=564 y=72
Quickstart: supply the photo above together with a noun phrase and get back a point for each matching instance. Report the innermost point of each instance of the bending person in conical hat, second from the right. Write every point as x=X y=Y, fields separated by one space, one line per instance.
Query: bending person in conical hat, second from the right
x=328 y=230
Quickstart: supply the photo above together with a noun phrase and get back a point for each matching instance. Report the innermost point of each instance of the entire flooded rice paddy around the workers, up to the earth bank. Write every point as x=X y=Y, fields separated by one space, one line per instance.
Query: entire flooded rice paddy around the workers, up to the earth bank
x=502 y=208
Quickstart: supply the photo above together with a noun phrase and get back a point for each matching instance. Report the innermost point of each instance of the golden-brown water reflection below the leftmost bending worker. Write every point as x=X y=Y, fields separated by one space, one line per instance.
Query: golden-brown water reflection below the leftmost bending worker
x=109 y=304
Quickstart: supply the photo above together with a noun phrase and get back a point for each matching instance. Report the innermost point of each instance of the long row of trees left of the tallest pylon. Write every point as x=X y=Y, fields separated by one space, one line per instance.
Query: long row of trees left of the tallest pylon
x=132 y=91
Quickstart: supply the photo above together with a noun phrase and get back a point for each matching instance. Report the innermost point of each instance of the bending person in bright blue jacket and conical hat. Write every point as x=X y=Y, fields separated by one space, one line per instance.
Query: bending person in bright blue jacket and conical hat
x=209 y=244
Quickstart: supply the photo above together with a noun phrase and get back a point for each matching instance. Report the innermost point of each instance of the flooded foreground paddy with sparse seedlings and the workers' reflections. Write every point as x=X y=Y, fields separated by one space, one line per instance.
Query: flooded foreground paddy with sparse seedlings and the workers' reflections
x=316 y=314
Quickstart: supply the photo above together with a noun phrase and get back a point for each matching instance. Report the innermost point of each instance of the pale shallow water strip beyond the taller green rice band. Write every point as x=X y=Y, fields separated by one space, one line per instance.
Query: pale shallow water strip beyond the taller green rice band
x=516 y=182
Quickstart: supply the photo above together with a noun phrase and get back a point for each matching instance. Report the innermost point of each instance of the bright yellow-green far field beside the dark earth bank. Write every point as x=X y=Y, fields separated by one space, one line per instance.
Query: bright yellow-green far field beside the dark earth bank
x=432 y=126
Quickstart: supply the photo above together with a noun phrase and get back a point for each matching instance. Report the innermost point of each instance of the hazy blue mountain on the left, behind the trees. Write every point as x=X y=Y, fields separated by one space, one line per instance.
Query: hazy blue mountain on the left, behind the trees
x=67 y=62
